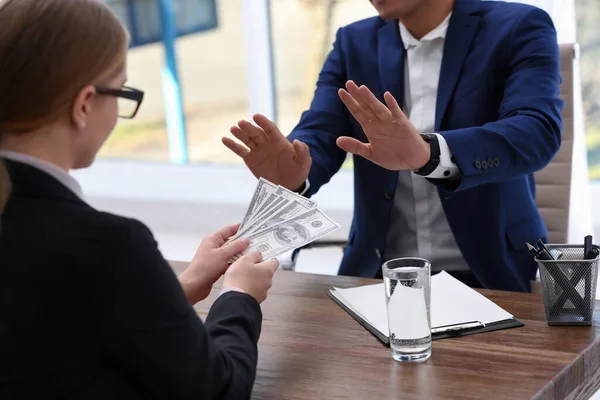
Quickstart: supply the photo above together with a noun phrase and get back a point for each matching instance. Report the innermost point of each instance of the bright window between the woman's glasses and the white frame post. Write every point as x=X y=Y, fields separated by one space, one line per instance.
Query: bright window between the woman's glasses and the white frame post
x=211 y=68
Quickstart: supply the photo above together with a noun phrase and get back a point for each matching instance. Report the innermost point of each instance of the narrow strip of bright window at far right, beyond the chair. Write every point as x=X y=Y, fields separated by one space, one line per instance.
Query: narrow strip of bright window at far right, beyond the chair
x=588 y=36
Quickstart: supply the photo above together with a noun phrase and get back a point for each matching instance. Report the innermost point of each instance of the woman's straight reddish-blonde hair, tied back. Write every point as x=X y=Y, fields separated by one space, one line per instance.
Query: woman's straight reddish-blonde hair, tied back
x=49 y=51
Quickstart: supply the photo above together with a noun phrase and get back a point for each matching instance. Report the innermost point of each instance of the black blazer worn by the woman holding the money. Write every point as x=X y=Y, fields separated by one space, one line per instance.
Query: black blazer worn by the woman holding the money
x=89 y=309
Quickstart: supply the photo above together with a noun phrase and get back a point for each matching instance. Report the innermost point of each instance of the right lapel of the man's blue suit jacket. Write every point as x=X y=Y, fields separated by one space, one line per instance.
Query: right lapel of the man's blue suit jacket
x=461 y=31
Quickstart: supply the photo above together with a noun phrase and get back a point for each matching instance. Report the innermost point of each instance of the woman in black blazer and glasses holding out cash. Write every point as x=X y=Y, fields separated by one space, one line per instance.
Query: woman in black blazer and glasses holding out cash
x=88 y=306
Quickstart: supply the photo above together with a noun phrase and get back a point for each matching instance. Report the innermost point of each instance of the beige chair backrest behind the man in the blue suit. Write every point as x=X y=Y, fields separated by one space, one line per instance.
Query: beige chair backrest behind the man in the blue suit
x=553 y=183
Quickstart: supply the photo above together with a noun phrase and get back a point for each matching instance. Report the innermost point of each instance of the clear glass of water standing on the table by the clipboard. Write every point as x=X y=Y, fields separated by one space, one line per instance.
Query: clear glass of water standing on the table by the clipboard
x=408 y=297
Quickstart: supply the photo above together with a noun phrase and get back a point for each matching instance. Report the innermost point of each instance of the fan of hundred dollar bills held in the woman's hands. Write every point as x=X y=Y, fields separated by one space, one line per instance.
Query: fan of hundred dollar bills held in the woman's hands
x=278 y=221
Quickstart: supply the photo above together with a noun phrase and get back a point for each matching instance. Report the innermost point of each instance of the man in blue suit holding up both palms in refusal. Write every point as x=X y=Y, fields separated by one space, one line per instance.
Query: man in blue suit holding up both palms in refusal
x=449 y=107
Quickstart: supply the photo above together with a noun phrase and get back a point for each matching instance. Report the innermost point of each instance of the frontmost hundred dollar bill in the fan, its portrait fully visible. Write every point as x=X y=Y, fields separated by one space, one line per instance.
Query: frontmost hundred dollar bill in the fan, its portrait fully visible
x=291 y=234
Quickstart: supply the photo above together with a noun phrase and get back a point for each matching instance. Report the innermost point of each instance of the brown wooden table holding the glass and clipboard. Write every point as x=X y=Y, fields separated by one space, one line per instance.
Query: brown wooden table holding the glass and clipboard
x=311 y=349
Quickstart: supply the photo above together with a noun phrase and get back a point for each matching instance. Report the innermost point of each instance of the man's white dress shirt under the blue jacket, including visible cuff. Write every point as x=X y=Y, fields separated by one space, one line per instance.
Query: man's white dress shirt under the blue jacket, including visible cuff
x=418 y=225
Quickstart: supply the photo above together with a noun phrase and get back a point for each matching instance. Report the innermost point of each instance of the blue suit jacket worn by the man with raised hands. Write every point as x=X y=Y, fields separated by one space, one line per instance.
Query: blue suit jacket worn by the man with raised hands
x=498 y=102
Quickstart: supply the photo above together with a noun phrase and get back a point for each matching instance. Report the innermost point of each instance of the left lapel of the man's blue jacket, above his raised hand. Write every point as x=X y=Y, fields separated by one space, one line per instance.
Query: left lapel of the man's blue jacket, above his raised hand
x=390 y=53
